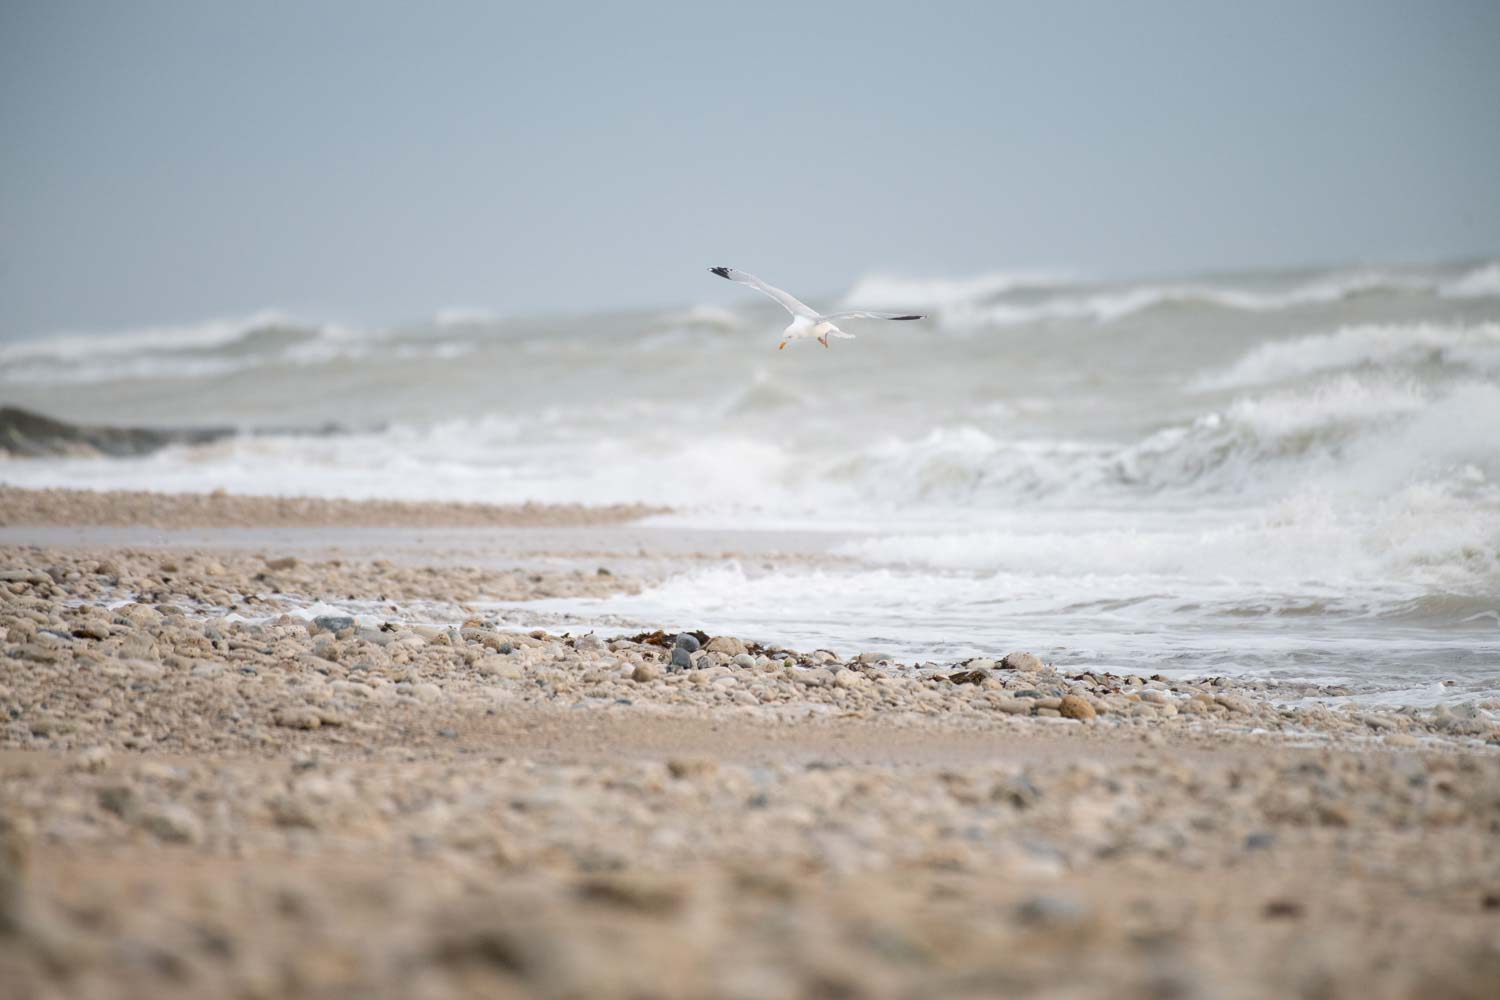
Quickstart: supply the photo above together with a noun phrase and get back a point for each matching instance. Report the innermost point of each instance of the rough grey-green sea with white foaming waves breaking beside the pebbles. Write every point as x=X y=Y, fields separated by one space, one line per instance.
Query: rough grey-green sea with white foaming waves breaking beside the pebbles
x=1285 y=475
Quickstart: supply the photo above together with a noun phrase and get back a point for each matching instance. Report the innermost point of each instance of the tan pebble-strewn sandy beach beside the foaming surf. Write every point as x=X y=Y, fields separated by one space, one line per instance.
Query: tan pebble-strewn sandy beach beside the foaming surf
x=212 y=791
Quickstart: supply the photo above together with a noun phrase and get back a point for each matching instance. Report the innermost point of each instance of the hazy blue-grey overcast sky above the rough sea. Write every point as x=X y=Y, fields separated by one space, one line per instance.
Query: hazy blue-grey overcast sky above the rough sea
x=166 y=163
